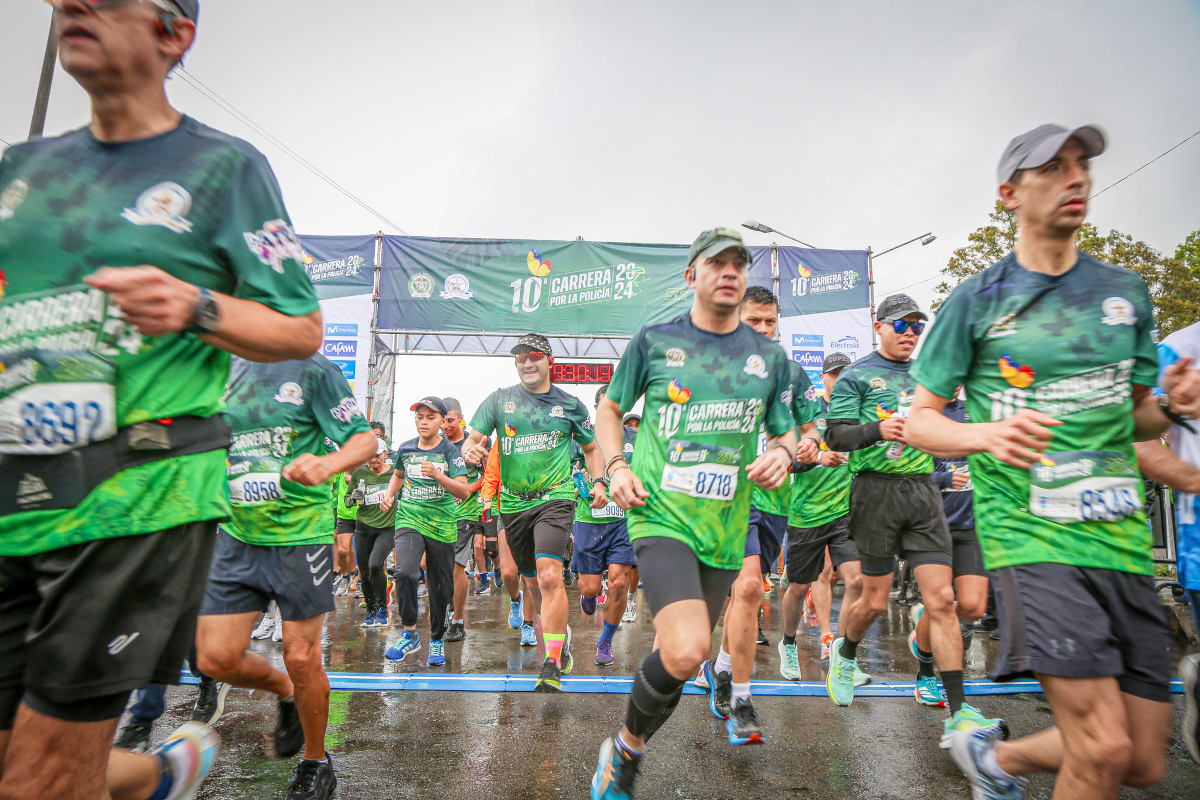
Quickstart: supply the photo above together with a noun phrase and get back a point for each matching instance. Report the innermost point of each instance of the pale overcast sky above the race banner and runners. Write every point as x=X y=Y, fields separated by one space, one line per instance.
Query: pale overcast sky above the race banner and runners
x=845 y=125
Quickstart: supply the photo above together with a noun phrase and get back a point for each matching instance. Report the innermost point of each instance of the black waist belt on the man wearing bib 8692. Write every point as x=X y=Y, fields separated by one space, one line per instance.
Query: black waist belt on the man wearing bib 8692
x=64 y=480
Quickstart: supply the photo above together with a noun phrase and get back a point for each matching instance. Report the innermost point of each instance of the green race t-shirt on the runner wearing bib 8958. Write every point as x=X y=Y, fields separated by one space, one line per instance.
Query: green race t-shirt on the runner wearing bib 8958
x=278 y=412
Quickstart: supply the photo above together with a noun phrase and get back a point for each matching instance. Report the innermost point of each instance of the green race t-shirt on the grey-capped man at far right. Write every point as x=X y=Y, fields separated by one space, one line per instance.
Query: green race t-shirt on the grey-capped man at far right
x=1072 y=347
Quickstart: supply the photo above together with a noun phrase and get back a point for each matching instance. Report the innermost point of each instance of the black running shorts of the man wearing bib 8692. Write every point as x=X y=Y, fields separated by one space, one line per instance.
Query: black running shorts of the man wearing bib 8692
x=99 y=618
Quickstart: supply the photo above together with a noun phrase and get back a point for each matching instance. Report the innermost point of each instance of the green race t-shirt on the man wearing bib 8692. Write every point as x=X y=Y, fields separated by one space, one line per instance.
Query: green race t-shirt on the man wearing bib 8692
x=196 y=203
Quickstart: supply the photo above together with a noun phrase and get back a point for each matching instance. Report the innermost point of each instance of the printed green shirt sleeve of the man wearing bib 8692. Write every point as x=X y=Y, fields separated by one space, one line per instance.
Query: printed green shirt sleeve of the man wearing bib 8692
x=255 y=240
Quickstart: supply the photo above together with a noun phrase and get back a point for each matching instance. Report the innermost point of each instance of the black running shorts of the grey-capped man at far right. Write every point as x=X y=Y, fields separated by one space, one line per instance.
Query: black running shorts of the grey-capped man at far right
x=1083 y=623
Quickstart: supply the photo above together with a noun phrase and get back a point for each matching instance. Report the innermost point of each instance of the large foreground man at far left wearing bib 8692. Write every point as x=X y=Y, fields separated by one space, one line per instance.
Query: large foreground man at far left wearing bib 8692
x=136 y=255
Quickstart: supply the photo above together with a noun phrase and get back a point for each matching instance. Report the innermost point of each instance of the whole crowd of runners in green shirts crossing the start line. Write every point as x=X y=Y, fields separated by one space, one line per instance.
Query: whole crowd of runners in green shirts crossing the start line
x=177 y=461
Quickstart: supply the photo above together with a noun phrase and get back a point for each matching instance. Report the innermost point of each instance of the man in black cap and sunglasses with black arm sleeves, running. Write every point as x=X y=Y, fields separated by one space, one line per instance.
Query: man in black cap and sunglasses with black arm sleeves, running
x=895 y=507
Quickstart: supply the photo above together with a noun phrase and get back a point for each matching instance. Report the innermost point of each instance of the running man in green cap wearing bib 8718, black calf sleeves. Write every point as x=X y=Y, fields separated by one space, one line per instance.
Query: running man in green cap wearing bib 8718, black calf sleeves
x=709 y=381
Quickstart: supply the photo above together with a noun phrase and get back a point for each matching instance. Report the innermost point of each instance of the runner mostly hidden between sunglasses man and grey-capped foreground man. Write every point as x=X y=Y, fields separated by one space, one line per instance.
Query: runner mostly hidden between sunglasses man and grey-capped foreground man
x=953 y=479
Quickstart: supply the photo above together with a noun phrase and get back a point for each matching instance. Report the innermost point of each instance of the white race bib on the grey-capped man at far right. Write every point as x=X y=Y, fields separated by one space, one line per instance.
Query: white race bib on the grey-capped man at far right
x=1084 y=486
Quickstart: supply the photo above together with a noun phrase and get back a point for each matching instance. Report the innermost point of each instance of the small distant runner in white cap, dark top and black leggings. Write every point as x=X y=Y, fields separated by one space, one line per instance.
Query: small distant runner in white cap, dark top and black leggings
x=375 y=532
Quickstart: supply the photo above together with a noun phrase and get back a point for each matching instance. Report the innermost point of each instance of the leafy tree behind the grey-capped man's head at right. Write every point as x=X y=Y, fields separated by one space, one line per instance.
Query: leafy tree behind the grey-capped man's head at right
x=1174 y=284
